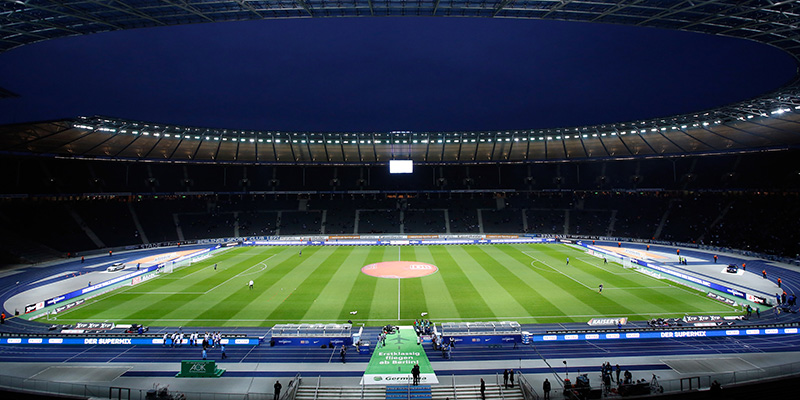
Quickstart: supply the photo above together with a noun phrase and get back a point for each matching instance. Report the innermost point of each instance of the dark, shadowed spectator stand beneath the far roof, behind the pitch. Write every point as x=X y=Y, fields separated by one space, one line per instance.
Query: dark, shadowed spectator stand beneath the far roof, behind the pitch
x=725 y=200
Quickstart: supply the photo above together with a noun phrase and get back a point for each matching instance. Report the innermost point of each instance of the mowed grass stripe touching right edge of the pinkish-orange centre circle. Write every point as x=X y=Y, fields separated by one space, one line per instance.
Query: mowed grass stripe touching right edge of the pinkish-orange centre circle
x=466 y=297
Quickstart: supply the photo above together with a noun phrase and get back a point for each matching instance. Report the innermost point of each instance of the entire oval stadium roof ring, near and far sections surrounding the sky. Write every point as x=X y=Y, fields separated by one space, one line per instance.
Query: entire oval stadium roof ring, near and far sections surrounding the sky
x=770 y=121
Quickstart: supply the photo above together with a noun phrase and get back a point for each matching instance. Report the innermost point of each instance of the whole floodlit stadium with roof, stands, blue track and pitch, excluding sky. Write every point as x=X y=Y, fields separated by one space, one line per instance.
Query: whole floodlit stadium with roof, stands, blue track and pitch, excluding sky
x=333 y=262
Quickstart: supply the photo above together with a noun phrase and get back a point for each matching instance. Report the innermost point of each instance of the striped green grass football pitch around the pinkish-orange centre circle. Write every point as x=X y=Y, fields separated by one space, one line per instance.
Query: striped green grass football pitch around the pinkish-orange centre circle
x=524 y=283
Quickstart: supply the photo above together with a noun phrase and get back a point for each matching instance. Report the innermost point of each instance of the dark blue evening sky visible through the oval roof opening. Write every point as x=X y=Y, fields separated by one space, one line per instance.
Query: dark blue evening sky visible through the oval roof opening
x=383 y=74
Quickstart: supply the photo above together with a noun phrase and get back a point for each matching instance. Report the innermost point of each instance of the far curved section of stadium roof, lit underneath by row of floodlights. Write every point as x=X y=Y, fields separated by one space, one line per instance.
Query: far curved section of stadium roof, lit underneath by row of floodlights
x=99 y=137
